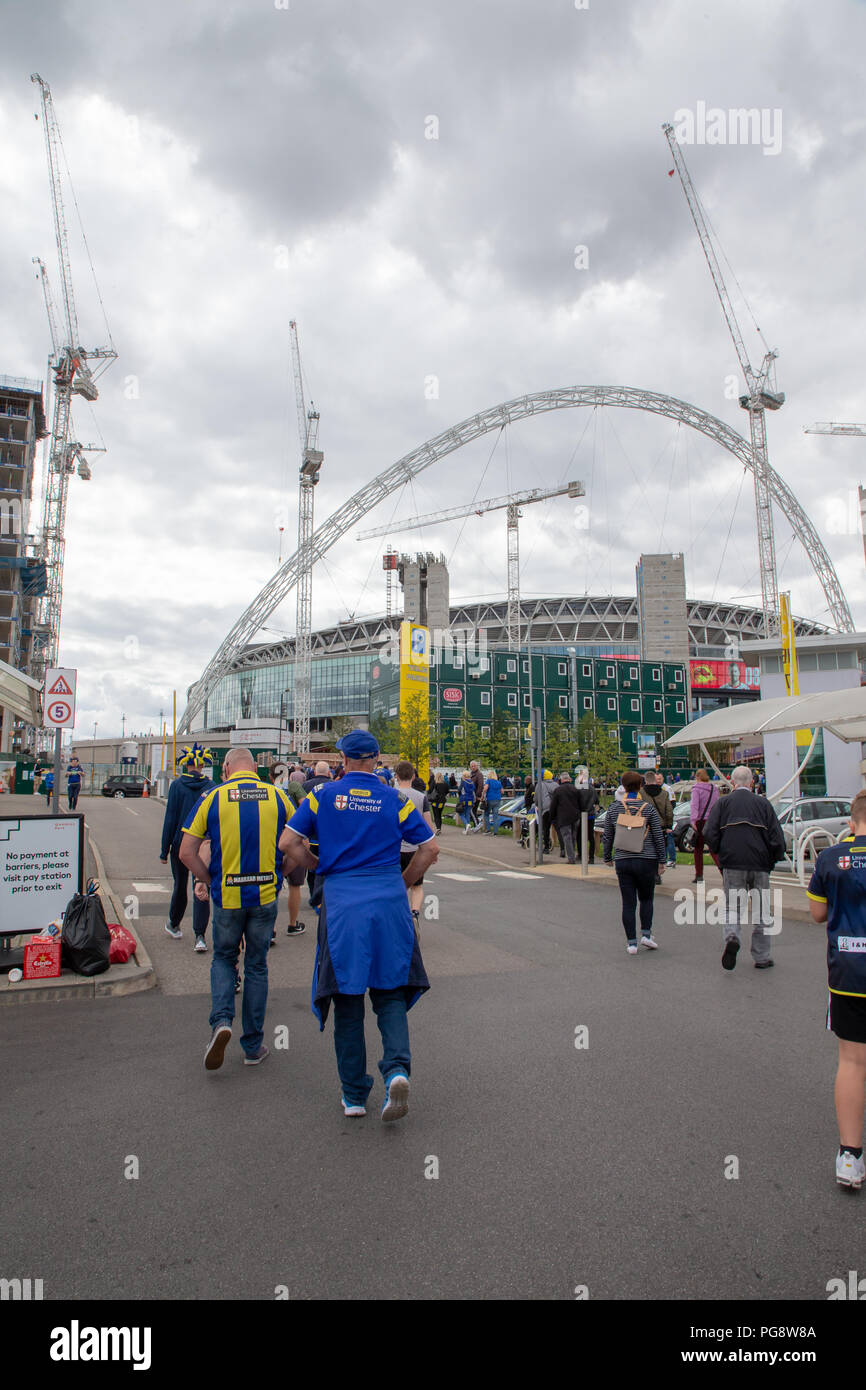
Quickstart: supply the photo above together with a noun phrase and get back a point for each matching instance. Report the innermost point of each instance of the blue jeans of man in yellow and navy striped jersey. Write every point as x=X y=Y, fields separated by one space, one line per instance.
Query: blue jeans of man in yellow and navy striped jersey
x=256 y=926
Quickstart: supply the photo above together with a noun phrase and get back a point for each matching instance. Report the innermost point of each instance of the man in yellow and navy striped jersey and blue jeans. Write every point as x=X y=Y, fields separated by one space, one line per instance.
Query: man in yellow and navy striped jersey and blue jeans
x=244 y=819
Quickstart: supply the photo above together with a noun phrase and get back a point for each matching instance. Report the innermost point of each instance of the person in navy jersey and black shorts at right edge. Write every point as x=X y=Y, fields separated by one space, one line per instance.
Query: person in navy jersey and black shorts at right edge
x=838 y=896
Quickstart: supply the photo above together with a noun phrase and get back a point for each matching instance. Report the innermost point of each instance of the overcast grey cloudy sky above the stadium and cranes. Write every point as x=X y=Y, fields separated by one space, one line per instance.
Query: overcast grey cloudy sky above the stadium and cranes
x=411 y=183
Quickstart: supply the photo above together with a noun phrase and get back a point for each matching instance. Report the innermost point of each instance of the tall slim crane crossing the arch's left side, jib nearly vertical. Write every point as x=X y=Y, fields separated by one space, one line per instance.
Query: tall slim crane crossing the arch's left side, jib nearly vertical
x=312 y=459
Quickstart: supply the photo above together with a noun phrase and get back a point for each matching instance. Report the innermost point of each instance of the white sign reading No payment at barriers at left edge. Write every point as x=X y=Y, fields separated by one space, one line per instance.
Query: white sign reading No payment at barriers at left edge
x=41 y=869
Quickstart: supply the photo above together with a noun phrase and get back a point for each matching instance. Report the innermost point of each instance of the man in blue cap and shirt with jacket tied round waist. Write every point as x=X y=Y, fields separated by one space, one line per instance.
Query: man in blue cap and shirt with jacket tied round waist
x=366 y=938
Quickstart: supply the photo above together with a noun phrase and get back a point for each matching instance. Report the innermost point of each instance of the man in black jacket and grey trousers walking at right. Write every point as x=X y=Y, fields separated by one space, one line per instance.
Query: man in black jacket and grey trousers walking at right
x=744 y=831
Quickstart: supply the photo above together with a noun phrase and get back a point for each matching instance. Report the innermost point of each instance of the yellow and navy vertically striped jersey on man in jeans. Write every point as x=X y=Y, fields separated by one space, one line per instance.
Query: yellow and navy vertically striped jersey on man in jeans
x=244 y=819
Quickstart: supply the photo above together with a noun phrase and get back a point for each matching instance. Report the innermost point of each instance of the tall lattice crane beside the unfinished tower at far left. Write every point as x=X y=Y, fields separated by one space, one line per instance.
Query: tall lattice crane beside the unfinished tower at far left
x=72 y=377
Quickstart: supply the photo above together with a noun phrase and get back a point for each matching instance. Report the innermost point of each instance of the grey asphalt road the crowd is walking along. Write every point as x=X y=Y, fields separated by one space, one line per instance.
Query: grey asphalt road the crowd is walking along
x=557 y=1166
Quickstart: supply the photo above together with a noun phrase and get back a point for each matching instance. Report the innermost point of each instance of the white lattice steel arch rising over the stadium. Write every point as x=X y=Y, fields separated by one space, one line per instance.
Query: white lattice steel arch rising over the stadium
x=408 y=468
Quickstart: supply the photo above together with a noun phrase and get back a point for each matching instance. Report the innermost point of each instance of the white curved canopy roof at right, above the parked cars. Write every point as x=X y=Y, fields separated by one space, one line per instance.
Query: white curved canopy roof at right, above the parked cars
x=840 y=712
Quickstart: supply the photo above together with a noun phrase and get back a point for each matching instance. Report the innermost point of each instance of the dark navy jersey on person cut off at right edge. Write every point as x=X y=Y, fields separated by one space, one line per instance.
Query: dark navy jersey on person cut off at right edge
x=840 y=882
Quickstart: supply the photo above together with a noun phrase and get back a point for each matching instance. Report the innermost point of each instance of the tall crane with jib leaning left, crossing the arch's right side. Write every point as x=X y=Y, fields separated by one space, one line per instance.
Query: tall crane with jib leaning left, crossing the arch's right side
x=758 y=400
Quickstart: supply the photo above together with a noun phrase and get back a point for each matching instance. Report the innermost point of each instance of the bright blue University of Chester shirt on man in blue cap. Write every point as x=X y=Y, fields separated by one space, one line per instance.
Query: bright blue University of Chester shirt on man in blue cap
x=359 y=824
